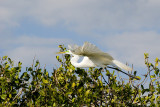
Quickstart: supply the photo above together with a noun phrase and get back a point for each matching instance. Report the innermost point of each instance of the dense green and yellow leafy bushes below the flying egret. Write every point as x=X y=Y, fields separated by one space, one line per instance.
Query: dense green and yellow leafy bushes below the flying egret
x=70 y=86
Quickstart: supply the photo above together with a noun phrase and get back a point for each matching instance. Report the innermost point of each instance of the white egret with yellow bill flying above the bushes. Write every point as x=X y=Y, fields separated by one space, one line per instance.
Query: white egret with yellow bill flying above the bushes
x=93 y=57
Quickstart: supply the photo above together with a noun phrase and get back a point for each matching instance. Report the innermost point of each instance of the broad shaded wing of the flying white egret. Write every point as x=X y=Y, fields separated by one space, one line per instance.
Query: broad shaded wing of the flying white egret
x=93 y=53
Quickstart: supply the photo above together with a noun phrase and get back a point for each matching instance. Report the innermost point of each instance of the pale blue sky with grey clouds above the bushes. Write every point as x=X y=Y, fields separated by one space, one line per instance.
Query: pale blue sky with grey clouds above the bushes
x=124 y=28
